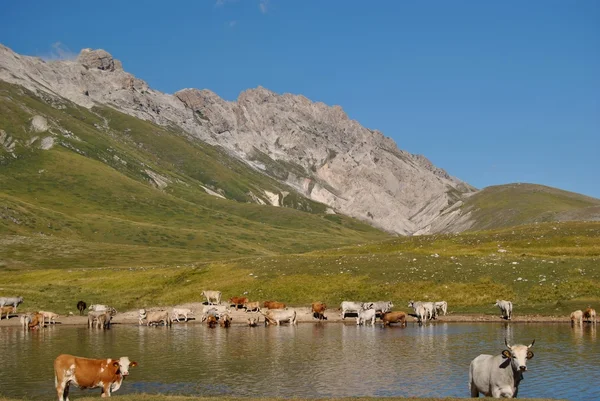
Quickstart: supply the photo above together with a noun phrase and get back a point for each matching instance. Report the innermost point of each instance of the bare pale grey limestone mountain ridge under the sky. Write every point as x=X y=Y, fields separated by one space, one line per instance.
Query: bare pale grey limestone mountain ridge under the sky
x=310 y=146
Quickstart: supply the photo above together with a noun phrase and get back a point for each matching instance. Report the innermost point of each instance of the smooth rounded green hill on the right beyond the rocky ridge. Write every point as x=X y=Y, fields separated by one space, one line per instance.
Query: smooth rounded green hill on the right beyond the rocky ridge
x=516 y=204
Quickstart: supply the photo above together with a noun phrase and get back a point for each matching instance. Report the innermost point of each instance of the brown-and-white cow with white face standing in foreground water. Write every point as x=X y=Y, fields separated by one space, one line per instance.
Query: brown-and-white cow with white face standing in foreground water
x=108 y=374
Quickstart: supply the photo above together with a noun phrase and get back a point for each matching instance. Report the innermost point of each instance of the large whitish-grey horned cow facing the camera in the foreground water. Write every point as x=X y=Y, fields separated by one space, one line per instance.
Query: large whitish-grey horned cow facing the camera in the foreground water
x=499 y=376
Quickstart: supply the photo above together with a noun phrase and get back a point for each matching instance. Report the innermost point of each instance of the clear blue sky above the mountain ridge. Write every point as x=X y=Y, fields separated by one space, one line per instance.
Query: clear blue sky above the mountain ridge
x=492 y=91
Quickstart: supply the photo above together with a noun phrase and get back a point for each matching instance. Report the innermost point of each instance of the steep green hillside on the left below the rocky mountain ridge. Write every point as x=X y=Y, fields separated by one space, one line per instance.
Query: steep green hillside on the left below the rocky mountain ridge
x=92 y=199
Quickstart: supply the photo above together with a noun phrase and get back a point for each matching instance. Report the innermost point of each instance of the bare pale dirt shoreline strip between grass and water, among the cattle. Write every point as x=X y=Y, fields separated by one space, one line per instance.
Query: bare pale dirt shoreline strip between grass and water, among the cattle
x=304 y=315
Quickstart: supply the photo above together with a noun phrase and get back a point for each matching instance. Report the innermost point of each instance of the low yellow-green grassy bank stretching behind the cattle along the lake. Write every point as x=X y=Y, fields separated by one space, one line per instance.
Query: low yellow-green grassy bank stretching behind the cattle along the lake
x=547 y=269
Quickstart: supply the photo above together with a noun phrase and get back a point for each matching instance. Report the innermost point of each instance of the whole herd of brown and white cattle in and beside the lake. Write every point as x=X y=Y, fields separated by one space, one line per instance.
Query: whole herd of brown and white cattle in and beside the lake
x=495 y=376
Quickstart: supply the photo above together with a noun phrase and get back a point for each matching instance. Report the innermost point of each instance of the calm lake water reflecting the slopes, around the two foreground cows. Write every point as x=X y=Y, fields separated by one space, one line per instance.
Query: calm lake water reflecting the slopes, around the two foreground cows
x=310 y=360
